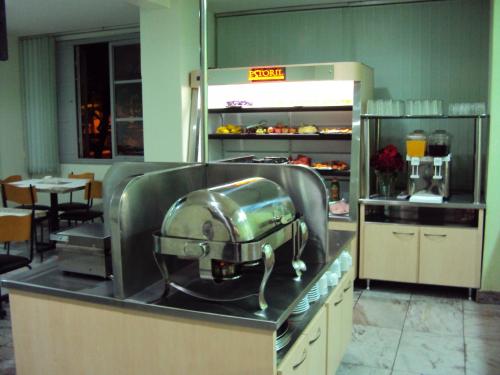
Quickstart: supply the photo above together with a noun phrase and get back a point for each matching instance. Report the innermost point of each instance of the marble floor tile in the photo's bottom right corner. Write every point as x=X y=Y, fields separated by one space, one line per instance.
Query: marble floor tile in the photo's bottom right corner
x=482 y=356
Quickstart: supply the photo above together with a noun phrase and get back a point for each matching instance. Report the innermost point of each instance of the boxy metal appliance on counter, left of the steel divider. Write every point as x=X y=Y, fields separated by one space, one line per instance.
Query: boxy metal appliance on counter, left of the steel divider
x=85 y=249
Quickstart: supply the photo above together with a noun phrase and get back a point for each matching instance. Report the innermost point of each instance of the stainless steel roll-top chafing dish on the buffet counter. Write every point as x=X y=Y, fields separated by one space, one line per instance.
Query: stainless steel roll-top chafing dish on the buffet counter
x=228 y=229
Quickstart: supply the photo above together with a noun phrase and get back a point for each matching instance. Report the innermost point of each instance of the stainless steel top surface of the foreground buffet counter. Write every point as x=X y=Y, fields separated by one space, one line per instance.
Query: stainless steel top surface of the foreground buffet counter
x=282 y=293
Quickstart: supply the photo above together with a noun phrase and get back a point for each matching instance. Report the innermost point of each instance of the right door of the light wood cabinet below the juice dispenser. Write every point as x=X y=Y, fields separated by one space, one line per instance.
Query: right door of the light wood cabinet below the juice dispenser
x=450 y=256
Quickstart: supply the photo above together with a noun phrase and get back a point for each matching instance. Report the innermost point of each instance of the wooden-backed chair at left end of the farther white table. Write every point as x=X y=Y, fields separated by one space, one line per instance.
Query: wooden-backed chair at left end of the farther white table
x=26 y=198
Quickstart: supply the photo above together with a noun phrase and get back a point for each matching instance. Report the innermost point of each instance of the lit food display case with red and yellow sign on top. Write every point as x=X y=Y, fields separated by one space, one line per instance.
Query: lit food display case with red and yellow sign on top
x=297 y=112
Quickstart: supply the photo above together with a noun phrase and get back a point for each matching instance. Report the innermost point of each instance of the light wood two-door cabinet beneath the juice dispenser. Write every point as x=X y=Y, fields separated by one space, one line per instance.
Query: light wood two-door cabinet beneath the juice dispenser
x=437 y=255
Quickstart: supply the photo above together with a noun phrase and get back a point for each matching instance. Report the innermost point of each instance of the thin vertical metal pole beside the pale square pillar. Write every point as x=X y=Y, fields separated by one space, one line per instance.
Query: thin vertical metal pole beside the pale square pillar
x=203 y=152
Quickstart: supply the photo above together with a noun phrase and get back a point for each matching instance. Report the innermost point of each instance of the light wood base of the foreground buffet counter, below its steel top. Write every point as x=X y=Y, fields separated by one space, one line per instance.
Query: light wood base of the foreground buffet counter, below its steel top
x=59 y=336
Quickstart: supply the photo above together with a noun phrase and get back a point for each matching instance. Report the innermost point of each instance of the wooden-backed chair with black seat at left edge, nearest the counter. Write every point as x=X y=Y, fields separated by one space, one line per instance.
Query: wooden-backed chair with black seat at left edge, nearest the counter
x=15 y=229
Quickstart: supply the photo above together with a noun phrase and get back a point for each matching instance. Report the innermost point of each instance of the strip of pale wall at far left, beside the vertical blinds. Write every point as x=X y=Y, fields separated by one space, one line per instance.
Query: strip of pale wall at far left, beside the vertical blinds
x=12 y=147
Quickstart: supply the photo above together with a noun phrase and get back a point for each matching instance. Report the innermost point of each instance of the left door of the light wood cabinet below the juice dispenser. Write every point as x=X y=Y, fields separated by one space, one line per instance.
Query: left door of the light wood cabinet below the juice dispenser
x=390 y=252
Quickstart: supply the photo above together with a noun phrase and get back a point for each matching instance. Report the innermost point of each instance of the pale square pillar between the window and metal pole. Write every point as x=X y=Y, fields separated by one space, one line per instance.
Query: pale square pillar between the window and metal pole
x=169 y=51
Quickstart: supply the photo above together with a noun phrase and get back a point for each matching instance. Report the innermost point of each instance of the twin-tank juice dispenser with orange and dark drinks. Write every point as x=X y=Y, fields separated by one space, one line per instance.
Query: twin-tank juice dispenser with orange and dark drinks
x=428 y=166
